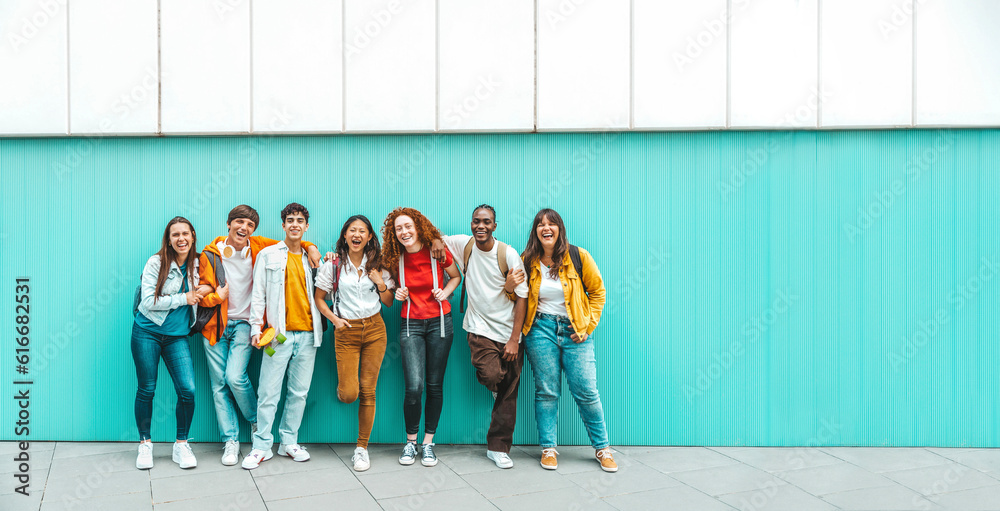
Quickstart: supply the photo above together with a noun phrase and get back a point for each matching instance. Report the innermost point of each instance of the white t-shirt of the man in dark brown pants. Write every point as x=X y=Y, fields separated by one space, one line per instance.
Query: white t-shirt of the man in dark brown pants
x=489 y=312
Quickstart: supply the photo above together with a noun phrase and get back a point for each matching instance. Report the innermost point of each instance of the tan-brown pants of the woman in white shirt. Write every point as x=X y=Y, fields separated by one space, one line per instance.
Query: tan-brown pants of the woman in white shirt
x=360 y=349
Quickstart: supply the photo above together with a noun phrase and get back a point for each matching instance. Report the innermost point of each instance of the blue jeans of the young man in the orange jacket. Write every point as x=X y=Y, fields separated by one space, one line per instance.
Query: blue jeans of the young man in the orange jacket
x=227 y=367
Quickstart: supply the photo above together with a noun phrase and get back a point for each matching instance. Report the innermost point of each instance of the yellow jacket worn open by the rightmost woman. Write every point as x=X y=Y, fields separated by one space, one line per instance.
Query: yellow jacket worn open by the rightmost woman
x=584 y=311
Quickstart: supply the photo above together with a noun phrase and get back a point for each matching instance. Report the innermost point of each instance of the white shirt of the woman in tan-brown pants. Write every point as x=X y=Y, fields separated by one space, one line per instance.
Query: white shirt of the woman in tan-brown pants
x=358 y=297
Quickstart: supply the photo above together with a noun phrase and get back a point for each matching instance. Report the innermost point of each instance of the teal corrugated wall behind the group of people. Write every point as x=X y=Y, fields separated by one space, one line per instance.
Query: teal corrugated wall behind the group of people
x=765 y=288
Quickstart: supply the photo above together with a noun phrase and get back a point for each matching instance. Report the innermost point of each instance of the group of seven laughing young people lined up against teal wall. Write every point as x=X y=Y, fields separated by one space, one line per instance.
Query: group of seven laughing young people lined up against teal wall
x=245 y=292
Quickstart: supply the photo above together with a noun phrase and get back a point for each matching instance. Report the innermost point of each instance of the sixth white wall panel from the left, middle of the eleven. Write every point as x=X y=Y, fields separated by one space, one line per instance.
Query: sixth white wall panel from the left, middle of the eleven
x=486 y=65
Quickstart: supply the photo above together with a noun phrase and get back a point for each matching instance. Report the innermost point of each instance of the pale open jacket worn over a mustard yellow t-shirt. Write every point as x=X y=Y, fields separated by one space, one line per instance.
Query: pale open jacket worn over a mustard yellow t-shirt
x=269 y=292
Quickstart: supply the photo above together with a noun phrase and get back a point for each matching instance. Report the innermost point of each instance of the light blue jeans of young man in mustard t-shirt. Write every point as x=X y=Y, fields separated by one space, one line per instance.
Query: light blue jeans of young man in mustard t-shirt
x=297 y=355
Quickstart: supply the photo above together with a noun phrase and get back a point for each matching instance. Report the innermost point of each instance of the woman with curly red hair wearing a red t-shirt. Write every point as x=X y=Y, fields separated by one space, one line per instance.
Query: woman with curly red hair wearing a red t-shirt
x=426 y=335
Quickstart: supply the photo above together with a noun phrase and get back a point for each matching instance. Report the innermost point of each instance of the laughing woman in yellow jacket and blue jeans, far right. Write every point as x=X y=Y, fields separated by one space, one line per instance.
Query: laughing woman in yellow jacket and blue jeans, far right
x=564 y=308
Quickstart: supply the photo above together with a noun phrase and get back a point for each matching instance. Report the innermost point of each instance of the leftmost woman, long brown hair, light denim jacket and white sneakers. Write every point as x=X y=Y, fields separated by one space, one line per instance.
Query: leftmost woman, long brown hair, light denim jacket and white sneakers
x=166 y=312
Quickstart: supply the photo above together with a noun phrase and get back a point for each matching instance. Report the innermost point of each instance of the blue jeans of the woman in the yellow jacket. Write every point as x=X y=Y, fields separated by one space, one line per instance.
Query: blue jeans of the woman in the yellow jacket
x=551 y=351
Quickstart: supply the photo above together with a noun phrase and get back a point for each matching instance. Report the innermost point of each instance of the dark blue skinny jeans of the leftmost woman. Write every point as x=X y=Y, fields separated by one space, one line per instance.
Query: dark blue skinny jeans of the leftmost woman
x=147 y=348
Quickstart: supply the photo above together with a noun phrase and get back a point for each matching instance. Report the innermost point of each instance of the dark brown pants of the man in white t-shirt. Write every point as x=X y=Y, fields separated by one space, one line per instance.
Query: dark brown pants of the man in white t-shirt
x=500 y=376
